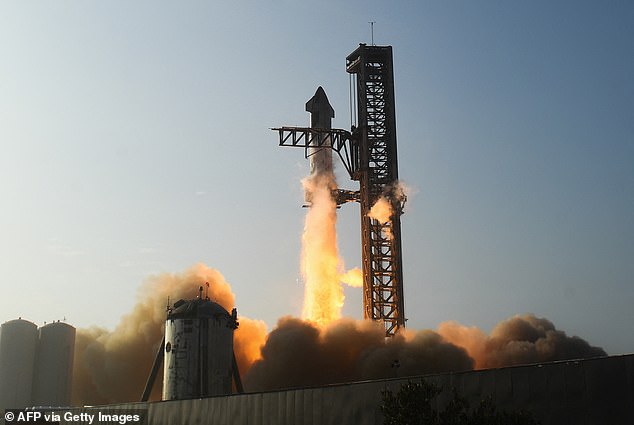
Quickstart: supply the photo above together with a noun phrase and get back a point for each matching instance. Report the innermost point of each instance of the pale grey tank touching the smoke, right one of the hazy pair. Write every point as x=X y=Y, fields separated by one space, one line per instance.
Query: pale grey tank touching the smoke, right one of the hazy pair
x=54 y=365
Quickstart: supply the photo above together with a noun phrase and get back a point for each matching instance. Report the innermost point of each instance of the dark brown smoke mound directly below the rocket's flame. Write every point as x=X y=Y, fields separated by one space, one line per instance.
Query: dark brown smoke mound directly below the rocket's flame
x=299 y=353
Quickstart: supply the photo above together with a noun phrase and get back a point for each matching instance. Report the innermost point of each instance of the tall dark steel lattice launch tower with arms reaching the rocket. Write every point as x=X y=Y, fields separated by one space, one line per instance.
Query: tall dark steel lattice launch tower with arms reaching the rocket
x=368 y=153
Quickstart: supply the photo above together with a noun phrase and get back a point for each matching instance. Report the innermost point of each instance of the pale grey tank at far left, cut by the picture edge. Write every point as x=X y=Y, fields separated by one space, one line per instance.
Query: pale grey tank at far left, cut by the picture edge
x=18 y=343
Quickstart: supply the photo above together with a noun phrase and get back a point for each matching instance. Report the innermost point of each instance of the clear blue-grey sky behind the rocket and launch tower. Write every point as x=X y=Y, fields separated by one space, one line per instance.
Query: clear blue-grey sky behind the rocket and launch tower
x=135 y=140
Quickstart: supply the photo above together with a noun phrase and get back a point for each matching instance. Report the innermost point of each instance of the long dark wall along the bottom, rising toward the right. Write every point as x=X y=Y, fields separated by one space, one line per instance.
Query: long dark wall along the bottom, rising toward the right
x=590 y=392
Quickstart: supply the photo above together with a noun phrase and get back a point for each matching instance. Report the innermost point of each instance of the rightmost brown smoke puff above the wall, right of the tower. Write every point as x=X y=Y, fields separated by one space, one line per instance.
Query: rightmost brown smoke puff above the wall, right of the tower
x=518 y=340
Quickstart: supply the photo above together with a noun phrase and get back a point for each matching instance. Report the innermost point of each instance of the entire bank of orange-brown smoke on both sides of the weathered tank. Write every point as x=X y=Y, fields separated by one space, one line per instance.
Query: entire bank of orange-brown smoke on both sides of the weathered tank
x=113 y=366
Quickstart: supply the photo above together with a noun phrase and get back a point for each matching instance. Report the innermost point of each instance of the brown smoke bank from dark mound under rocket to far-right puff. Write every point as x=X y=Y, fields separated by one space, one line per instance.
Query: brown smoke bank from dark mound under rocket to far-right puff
x=299 y=353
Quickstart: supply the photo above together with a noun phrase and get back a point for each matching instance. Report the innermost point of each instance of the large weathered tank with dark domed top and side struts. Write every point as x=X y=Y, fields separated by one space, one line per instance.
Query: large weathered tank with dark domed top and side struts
x=198 y=350
